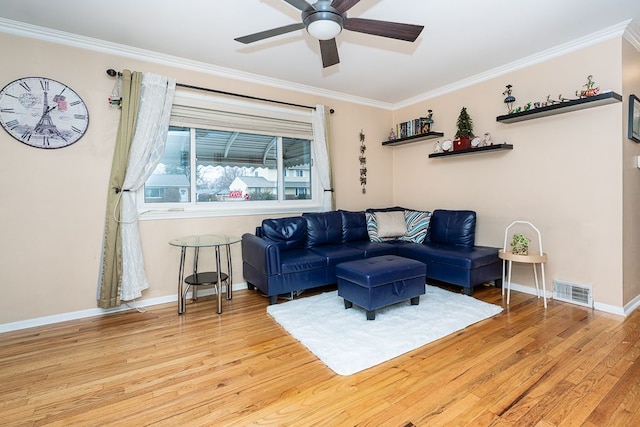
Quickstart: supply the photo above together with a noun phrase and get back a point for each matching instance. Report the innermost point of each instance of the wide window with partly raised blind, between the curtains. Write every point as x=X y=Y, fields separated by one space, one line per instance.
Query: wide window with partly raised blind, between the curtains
x=214 y=164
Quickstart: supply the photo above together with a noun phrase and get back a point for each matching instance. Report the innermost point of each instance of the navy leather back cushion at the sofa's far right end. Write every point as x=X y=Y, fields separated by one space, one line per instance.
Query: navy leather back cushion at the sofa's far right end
x=452 y=227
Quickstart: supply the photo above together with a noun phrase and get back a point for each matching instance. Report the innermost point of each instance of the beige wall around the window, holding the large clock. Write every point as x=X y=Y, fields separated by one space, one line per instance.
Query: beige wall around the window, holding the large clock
x=53 y=205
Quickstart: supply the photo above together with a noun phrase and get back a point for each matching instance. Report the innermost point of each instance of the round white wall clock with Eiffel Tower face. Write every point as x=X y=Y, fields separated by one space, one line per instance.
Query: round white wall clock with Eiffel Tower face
x=42 y=112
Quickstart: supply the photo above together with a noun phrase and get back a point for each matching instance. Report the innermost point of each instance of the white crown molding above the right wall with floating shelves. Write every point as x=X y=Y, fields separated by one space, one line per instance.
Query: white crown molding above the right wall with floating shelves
x=605 y=34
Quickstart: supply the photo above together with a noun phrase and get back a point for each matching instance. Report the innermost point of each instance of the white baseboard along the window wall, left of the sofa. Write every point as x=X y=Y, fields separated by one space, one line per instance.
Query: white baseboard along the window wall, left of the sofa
x=91 y=312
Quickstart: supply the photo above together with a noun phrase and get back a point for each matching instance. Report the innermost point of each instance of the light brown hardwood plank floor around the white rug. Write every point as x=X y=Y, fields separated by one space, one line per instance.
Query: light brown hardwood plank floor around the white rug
x=567 y=365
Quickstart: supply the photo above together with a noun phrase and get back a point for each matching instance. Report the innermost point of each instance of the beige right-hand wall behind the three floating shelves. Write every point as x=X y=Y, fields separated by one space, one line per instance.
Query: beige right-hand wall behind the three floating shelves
x=563 y=174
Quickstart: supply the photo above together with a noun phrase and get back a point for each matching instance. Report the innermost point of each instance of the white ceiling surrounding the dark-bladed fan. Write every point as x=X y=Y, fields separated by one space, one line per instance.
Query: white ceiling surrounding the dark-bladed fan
x=462 y=40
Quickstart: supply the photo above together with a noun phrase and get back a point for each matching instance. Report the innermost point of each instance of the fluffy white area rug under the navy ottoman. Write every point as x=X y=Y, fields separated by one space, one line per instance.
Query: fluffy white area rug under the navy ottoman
x=347 y=343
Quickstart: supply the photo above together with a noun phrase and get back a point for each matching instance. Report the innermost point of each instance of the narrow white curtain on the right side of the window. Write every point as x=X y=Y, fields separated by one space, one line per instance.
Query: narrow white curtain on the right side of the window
x=322 y=154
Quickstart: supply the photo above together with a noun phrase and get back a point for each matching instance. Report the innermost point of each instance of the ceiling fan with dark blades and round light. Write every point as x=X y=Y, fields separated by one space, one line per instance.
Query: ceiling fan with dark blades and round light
x=325 y=19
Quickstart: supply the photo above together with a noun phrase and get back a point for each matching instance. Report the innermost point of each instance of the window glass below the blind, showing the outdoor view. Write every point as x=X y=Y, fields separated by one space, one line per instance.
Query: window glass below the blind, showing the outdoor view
x=230 y=167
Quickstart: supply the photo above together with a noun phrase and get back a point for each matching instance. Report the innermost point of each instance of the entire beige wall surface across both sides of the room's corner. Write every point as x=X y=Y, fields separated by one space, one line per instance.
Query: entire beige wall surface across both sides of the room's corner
x=564 y=174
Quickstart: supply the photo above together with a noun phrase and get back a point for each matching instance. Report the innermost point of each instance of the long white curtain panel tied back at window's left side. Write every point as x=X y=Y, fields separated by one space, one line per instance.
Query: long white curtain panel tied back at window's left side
x=146 y=151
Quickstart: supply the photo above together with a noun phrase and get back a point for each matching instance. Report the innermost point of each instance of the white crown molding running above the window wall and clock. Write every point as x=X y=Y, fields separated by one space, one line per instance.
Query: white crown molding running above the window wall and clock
x=68 y=39
